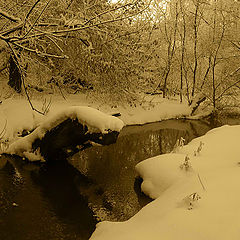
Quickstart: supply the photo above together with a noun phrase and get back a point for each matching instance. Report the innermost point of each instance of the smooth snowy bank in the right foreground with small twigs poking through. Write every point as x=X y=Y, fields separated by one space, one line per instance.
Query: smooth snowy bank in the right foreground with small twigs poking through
x=196 y=192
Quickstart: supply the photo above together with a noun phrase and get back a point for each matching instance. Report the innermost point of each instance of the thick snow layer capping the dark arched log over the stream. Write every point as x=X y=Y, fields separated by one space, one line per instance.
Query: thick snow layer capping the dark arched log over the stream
x=96 y=122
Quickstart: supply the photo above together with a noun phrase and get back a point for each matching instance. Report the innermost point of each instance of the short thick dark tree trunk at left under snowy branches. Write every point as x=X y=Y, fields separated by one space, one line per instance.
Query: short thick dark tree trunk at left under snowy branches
x=15 y=80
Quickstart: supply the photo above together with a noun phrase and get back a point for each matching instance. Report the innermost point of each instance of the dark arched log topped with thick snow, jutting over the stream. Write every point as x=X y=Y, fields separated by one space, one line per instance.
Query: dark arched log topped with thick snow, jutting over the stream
x=64 y=131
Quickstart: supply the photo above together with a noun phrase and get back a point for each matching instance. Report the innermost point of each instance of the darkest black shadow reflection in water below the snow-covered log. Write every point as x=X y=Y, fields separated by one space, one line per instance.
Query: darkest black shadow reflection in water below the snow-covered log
x=59 y=183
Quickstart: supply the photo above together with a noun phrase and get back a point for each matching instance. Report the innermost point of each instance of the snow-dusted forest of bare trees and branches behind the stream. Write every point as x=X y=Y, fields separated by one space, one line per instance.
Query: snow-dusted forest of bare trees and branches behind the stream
x=117 y=51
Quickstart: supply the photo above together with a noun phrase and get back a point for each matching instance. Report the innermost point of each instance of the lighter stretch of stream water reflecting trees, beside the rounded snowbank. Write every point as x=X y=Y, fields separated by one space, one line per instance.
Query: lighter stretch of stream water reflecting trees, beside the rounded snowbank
x=113 y=167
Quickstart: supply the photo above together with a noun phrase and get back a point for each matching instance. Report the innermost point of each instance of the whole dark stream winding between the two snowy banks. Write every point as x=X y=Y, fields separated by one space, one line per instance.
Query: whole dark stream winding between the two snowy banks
x=65 y=200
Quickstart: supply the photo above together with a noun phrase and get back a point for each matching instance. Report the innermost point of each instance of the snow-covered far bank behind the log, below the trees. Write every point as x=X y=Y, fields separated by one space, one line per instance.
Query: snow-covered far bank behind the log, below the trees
x=17 y=114
